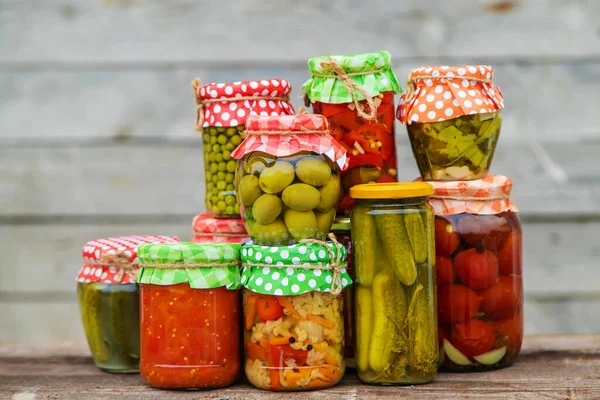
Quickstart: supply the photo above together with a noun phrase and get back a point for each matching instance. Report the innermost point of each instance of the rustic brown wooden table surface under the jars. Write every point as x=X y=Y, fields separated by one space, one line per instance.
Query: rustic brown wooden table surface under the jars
x=550 y=367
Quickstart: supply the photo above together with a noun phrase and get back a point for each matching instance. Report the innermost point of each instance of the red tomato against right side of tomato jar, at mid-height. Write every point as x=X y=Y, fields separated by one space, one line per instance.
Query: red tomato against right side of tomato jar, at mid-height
x=501 y=300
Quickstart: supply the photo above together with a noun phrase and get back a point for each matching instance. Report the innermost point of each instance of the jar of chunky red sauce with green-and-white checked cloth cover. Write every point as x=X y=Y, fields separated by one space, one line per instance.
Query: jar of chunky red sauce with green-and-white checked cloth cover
x=190 y=315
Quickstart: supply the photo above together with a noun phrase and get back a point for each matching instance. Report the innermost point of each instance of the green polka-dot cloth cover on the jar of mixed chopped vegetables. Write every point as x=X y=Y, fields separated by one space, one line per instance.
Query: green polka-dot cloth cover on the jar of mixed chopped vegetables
x=277 y=270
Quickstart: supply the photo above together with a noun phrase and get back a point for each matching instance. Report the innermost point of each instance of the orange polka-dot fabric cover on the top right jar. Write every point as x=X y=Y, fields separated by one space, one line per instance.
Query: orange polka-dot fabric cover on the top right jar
x=443 y=93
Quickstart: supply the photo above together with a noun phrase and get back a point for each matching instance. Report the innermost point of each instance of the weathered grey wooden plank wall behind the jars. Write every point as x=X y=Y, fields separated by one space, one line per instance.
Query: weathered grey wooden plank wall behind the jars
x=96 y=114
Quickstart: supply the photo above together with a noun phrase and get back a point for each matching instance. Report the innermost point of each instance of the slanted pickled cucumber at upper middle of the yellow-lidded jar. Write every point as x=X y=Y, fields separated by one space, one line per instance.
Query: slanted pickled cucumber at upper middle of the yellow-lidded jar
x=396 y=245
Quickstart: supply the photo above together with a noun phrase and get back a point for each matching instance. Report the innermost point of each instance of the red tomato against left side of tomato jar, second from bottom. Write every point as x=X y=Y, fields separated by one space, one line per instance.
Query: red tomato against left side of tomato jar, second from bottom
x=457 y=303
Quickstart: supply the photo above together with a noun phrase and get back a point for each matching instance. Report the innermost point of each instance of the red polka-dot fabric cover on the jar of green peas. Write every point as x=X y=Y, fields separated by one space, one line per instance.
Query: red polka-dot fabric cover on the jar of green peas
x=272 y=99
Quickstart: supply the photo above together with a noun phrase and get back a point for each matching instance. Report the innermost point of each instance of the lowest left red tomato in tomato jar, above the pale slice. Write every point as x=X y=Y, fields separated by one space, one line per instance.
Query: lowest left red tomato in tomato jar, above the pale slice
x=473 y=338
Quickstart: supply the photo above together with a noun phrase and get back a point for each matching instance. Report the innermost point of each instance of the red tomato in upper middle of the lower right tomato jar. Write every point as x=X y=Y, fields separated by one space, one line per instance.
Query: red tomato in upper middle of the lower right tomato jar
x=477 y=270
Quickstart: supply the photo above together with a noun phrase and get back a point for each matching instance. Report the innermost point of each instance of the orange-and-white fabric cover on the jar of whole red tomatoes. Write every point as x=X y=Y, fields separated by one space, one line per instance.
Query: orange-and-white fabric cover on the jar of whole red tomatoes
x=490 y=195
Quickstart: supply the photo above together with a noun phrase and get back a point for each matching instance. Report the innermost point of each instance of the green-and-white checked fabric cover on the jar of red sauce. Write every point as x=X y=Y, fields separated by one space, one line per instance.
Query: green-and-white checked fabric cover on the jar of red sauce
x=203 y=265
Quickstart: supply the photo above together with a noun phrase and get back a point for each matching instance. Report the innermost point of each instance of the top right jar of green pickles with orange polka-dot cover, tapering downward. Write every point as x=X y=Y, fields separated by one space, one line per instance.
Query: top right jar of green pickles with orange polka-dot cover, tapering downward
x=453 y=119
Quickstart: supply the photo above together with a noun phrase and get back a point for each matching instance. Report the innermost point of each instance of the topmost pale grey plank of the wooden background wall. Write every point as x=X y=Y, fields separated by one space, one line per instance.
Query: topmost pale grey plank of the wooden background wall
x=154 y=31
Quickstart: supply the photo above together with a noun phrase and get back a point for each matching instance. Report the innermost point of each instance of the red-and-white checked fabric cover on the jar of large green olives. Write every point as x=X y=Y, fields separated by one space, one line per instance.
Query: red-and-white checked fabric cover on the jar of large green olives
x=291 y=134
